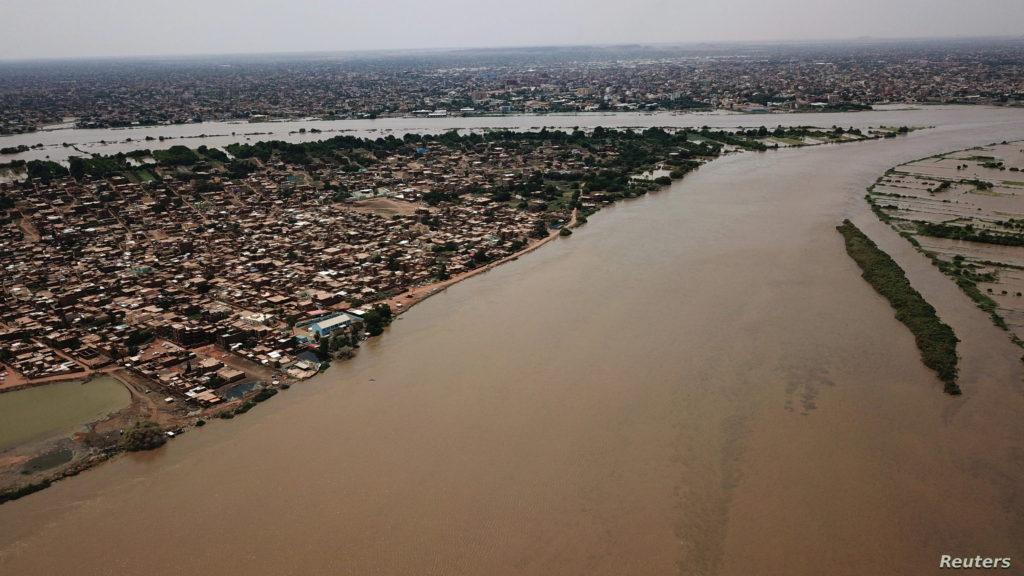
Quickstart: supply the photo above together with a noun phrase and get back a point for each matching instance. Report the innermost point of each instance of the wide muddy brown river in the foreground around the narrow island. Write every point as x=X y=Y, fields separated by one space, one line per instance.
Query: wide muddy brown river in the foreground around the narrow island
x=697 y=383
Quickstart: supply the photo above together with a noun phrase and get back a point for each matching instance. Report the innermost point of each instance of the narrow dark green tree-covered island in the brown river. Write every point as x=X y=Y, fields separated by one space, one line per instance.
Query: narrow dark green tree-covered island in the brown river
x=936 y=340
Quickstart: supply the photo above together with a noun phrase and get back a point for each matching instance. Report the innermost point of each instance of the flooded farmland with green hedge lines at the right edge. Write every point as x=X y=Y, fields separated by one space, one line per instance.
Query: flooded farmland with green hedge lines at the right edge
x=965 y=211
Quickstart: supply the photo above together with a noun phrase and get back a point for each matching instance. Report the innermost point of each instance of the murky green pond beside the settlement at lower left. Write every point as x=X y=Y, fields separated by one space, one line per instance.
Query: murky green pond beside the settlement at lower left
x=59 y=408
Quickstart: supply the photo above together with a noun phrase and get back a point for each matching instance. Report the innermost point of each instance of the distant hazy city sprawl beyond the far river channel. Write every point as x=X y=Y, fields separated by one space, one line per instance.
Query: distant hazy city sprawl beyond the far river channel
x=108 y=95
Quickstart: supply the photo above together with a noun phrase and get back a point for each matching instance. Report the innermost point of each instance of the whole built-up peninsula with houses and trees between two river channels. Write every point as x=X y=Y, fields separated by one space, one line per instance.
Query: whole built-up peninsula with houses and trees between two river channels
x=218 y=277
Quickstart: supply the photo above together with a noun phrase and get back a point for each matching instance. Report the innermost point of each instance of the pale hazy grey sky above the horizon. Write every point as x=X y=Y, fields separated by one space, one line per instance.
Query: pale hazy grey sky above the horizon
x=33 y=29
